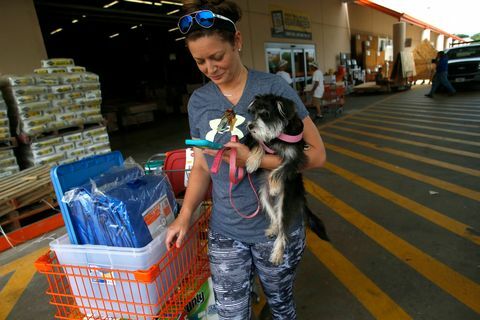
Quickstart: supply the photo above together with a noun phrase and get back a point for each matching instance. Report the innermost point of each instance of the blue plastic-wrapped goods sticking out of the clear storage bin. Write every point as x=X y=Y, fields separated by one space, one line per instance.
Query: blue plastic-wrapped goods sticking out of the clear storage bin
x=114 y=209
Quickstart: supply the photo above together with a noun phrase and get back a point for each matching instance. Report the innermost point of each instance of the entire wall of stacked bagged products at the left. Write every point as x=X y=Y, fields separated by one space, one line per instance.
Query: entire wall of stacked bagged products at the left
x=54 y=113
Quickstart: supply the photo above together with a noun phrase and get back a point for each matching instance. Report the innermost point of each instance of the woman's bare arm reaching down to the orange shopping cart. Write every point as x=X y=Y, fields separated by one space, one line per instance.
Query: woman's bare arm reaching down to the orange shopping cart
x=198 y=183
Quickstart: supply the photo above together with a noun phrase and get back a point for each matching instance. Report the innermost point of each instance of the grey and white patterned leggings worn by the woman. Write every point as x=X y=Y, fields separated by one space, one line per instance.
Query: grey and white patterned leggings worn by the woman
x=233 y=264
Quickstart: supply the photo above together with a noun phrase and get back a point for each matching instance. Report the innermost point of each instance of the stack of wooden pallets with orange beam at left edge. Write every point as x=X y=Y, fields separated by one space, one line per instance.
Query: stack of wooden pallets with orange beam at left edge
x=28 y=206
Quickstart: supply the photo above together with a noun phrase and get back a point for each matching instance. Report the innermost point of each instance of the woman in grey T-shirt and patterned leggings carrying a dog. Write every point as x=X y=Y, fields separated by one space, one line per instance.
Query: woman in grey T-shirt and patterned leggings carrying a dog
x=237 y=246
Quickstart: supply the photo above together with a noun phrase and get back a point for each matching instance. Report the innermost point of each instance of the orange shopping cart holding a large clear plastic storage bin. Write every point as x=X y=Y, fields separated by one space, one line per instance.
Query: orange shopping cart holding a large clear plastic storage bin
x=92 y=284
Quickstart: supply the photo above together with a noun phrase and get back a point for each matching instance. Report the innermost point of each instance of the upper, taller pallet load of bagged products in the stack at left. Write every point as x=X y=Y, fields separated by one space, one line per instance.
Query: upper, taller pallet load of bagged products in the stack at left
x=59 y=95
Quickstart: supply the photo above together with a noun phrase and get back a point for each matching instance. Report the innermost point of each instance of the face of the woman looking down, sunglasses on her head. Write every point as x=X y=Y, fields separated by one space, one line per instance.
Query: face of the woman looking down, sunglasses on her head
x=216 y=58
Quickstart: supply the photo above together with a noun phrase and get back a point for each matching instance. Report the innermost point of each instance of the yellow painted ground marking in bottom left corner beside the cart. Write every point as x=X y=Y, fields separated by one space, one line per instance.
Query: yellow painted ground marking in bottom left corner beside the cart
x=24 y=272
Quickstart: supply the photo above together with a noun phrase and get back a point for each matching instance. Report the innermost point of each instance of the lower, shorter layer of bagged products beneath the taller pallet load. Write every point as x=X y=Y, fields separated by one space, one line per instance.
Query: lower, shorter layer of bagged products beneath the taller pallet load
x=66 y=148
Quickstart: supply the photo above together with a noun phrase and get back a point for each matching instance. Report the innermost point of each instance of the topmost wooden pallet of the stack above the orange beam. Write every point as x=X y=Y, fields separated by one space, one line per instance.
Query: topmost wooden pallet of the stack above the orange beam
x=24 y=188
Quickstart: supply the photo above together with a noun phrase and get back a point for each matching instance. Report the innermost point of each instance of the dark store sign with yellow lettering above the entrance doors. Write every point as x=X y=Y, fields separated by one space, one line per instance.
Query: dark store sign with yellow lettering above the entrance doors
x=288 y=23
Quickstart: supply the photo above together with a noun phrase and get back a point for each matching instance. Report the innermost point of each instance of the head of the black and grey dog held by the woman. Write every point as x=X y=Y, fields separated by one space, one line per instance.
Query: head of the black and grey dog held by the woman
x=271 y=115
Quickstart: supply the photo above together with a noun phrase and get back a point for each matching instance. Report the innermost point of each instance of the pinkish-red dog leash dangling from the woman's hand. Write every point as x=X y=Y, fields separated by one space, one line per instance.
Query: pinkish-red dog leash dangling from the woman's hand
x=235 y=175
